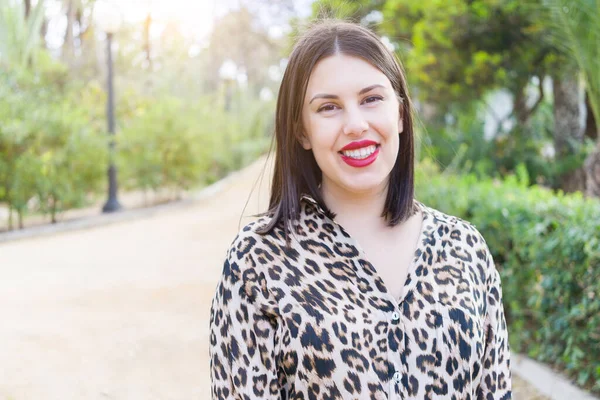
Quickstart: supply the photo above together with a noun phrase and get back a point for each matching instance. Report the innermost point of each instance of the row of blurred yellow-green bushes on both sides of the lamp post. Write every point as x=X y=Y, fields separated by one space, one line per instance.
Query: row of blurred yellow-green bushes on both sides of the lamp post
x=54 y=155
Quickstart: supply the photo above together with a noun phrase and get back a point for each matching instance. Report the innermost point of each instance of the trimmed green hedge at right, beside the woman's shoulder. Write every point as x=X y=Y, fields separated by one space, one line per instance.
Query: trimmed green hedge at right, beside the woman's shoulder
x=546 y=247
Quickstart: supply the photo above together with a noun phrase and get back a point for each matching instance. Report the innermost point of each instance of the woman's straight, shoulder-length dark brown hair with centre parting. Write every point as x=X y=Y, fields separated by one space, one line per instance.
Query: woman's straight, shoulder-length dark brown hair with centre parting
x=296 y=170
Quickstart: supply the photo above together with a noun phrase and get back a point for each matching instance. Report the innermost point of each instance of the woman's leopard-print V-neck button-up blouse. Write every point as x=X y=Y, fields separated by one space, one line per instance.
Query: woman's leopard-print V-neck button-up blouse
x=314 y=320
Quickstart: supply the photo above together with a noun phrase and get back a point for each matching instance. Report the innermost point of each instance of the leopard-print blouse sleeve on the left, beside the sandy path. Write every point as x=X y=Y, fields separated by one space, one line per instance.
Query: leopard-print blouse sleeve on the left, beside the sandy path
x=242 y=336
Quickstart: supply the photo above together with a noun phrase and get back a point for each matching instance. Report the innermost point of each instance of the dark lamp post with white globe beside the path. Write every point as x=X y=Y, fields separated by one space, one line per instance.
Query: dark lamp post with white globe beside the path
x=109 y=19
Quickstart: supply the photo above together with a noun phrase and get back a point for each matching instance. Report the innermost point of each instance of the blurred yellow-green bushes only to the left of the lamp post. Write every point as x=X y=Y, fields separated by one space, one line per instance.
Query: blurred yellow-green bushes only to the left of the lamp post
x=50 y=155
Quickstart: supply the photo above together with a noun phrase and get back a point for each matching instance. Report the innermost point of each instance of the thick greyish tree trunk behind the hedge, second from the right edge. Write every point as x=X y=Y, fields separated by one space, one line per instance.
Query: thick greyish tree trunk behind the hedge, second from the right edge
x=568 y=131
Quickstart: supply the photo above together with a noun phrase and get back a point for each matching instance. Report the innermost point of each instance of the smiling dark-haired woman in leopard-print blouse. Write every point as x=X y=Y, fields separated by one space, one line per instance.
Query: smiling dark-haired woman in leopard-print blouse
x=349 y=288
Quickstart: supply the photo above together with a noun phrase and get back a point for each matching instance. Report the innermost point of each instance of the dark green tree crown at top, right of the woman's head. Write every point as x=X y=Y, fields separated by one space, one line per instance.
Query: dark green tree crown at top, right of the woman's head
x=458 y=50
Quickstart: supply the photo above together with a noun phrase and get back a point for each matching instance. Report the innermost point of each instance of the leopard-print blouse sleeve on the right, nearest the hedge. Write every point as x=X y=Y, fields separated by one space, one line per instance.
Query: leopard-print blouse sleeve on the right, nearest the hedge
x=496 y=378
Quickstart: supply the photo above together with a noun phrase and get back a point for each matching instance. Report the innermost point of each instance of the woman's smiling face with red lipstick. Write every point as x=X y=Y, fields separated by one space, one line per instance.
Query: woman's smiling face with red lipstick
x=349 y=102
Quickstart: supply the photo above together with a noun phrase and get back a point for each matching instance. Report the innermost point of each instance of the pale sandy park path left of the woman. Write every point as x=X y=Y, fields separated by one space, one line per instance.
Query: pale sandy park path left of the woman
x=120 y=311
